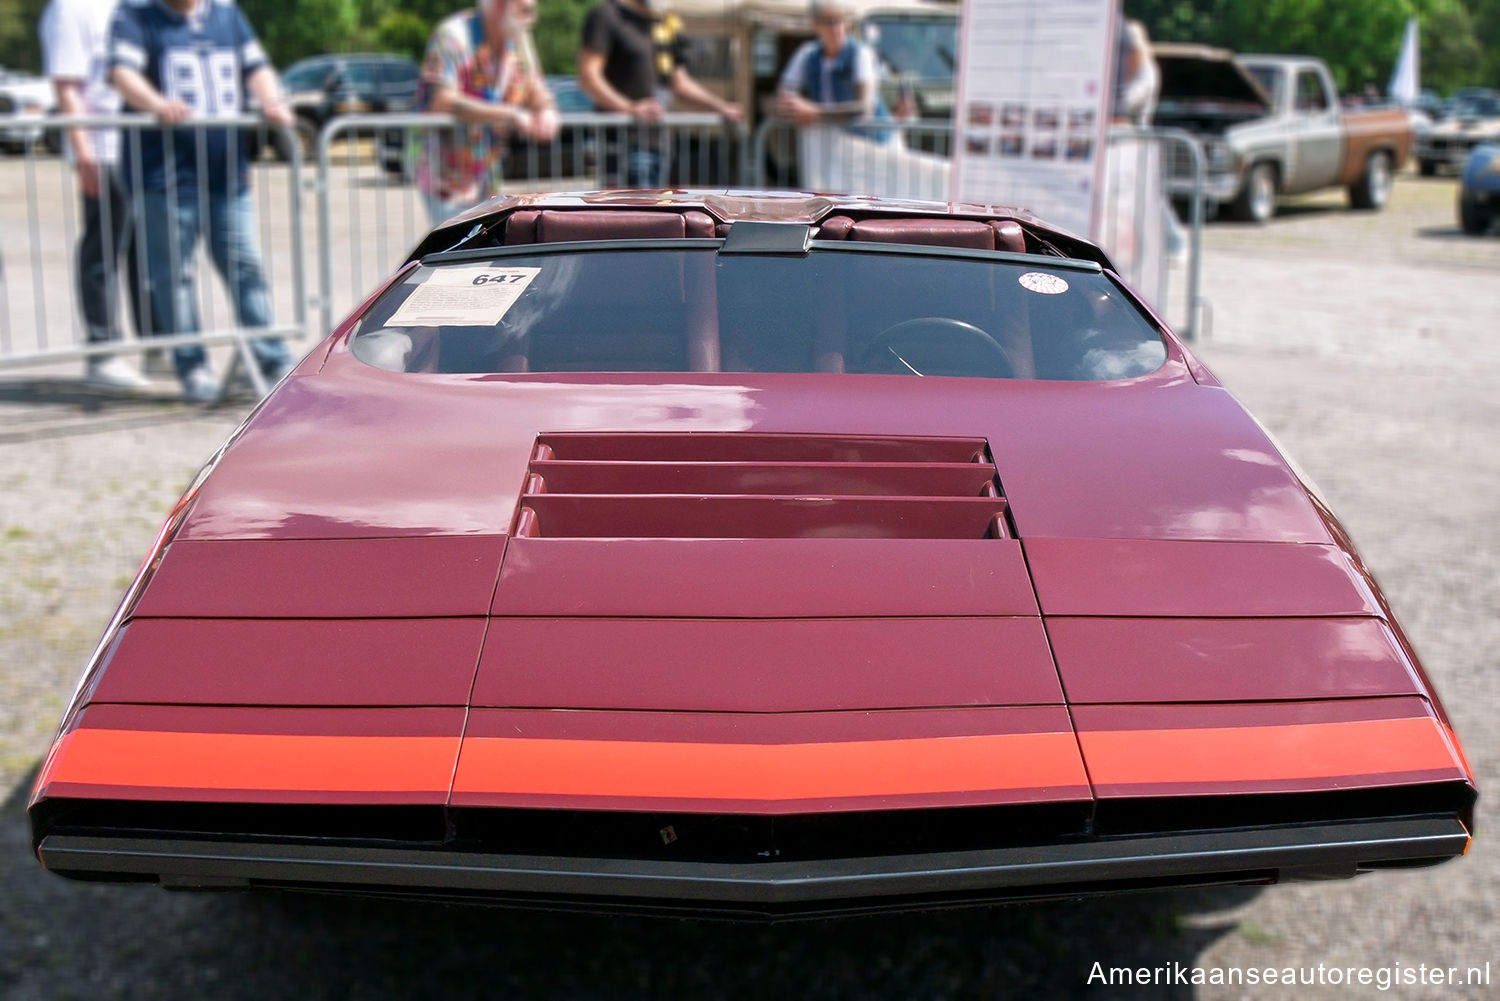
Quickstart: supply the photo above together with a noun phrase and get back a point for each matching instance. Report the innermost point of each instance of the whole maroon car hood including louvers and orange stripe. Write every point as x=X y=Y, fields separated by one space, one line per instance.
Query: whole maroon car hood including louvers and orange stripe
x=733 y=594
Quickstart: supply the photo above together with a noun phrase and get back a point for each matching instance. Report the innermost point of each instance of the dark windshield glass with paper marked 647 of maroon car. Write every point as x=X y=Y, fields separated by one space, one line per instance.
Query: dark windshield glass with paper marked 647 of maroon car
x=700 y=311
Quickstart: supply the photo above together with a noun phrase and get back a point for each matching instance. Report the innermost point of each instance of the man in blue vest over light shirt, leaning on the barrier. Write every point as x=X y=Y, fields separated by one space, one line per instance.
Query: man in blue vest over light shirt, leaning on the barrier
x=833 y=77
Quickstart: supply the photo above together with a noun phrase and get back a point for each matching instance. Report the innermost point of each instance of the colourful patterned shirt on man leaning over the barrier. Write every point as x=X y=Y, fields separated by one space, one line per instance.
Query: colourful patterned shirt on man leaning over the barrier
x=466 y=163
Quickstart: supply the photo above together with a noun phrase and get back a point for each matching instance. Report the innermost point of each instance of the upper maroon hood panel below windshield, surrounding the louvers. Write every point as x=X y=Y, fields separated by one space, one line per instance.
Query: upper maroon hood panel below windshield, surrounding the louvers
x=364 y=454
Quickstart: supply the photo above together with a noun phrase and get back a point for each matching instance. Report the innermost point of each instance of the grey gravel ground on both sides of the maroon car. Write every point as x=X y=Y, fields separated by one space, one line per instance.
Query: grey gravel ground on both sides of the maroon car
x=1364 y=343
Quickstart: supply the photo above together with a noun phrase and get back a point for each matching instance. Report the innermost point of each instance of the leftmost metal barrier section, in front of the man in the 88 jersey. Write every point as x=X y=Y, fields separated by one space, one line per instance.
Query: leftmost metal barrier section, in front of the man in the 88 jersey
x=59 y=301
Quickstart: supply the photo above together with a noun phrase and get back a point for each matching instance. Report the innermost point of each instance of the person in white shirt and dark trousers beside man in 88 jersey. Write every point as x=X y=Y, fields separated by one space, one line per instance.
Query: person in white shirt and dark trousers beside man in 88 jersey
x=74 y=38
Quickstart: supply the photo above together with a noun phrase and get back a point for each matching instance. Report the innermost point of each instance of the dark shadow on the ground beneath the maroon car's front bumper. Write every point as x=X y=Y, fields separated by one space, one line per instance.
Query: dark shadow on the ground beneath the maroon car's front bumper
x=82 y=940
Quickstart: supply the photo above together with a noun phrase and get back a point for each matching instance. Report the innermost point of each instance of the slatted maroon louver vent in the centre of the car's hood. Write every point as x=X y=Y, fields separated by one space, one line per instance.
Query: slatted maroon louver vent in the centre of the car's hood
x=761 y=487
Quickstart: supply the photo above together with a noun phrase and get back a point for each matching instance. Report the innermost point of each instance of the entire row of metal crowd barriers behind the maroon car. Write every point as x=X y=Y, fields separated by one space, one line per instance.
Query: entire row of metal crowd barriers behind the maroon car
x=382 y=182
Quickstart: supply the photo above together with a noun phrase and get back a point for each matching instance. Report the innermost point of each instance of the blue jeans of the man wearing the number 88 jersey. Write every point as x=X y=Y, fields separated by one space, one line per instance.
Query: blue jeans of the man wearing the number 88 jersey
x=172 y=239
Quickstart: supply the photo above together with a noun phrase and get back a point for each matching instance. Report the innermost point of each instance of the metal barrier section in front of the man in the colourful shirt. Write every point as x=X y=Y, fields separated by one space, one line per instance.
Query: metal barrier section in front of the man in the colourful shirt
x=385 y=179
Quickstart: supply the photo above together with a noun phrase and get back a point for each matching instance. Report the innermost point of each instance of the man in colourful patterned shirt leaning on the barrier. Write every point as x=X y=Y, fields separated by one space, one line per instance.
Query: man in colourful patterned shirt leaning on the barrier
x=482 y=68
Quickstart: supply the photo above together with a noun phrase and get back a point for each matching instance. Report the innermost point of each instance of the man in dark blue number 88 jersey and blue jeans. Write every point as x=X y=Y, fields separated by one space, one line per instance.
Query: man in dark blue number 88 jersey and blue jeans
x=196 y=61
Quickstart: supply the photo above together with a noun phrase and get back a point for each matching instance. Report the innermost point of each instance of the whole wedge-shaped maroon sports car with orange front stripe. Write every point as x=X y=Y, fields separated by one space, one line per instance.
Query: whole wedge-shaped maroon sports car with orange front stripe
x=751 y=555
